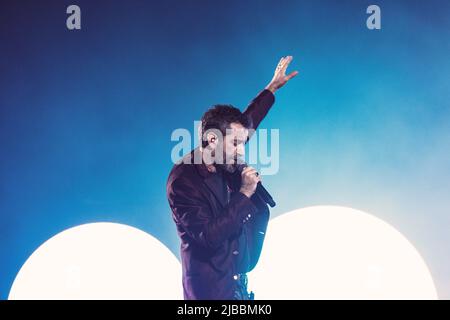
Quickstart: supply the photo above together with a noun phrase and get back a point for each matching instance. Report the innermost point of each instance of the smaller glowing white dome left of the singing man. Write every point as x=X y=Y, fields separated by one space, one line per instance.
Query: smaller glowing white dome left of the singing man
x=100 y=261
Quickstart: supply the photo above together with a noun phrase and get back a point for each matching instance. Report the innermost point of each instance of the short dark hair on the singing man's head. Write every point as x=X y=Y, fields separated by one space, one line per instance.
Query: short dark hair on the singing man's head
x=220 y=116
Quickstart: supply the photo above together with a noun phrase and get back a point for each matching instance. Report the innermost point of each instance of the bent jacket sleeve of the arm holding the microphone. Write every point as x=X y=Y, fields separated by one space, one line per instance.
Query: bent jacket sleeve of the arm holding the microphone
x=192 y=213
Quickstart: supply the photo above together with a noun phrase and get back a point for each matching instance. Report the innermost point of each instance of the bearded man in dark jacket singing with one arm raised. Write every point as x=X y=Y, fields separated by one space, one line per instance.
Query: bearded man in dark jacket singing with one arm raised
x=220 y=220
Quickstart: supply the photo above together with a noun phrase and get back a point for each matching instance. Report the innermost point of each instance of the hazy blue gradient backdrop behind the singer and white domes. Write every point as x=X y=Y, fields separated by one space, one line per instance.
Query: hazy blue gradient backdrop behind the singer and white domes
x=86 y=116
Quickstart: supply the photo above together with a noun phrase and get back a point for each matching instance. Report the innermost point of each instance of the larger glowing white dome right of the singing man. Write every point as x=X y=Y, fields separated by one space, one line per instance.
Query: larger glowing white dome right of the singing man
x=330 y=252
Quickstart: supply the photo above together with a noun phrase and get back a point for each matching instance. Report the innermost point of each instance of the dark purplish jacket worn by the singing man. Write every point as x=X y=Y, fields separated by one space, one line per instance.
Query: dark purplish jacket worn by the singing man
x=222 y=232
